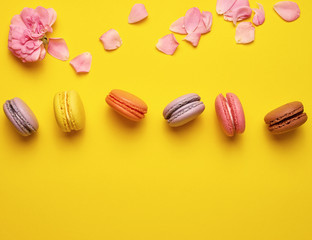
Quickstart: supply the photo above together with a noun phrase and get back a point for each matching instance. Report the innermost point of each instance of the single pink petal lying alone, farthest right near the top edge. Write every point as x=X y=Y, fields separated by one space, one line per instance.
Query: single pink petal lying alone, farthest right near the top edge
x=287 y=10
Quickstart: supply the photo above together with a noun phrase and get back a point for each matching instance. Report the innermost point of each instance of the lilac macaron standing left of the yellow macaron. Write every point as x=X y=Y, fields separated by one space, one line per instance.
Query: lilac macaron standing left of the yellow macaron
x=21 y=116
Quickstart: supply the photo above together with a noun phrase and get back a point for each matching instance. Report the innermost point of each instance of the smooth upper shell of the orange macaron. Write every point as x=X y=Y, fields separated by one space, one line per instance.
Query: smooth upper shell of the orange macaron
x=129 y=99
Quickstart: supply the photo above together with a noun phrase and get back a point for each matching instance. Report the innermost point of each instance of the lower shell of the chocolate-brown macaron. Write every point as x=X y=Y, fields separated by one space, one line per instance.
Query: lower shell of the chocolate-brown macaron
x=289 y=124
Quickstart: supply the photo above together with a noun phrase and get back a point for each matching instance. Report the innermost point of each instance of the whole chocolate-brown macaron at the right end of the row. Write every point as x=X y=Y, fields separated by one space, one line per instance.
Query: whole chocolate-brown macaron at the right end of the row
x=286 y=118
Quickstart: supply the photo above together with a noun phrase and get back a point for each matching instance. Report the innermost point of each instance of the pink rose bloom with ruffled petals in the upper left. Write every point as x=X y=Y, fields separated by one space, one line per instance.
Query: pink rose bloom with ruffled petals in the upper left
x=27 y=38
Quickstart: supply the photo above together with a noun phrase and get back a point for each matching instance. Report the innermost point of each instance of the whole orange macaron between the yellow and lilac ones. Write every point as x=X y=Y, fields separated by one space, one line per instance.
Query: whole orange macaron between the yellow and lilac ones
x=127 y=104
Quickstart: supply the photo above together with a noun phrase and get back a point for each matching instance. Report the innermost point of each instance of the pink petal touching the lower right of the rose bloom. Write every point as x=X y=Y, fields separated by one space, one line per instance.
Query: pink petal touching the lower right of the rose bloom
x=58 y=48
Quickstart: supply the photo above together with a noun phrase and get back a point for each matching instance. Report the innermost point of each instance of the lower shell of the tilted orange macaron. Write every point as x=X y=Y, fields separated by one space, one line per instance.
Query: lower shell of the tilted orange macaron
x=124 y=110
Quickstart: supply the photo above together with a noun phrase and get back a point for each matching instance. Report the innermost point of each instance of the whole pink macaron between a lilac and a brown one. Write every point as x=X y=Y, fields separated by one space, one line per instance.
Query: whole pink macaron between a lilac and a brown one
x=230 y=114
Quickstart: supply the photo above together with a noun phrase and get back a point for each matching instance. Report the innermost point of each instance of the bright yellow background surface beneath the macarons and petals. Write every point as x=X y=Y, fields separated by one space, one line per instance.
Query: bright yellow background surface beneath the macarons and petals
x=120 y=180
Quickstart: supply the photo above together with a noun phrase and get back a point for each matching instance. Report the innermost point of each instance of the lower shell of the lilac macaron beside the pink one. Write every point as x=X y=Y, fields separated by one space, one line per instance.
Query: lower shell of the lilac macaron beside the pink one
x=186 y=114
